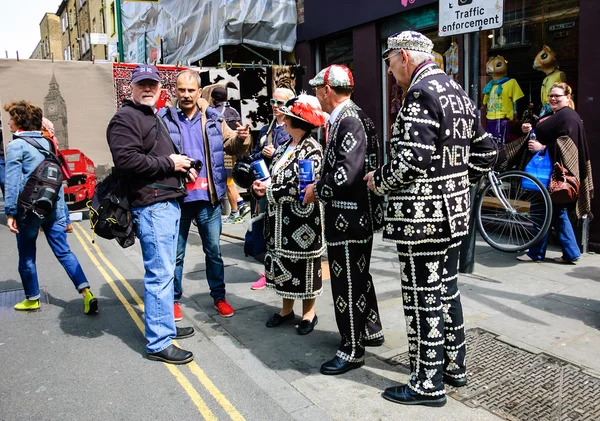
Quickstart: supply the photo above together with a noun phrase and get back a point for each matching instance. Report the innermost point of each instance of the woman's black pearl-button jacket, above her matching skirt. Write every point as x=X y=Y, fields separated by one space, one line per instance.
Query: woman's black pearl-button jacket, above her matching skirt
x=293 y=229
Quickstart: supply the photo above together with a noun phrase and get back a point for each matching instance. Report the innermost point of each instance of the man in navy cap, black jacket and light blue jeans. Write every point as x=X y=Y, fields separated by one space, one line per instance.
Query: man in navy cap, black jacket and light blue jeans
x=153 y=169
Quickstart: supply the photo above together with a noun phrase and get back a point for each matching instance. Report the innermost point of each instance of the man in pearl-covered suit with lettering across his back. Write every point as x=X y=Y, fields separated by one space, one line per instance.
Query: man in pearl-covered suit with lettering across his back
x=437 y=149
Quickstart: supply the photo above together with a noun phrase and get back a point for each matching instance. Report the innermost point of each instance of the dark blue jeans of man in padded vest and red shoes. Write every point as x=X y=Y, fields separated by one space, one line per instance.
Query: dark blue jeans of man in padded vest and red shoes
x=208 y=219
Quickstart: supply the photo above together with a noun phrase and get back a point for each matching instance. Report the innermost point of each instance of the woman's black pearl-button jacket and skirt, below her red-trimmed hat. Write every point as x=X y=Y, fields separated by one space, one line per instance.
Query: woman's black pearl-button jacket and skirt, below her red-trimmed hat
x=293 y=231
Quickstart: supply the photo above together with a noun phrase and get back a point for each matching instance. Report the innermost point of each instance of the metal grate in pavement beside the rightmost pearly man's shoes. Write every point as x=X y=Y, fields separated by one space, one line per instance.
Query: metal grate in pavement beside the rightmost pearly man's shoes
x=518 y=385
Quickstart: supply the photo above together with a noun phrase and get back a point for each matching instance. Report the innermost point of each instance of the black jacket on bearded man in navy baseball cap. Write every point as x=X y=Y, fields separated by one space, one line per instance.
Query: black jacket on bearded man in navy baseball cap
x=140 y=147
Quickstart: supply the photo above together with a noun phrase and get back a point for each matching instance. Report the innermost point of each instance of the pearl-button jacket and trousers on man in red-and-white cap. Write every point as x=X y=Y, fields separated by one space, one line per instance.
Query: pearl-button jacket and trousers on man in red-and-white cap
x=352 y=214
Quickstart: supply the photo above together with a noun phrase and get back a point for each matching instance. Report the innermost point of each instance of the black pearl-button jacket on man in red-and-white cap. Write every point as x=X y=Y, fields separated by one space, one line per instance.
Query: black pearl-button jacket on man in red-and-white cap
x=352 y=212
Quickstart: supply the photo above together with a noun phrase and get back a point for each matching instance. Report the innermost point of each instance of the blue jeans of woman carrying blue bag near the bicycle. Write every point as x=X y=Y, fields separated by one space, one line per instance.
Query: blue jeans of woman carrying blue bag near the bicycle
x=566 y=236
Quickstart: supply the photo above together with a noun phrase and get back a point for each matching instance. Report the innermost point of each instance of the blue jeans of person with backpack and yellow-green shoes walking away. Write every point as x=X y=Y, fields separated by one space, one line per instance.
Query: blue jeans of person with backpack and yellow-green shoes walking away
x=54 y=227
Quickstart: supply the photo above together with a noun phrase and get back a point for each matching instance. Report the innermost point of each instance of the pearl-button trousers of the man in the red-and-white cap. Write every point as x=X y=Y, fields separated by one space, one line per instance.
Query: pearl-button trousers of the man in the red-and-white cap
x=354 y=299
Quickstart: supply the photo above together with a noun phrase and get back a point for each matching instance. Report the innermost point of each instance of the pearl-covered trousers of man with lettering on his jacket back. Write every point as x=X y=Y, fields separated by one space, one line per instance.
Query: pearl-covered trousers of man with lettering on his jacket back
x=433 y=313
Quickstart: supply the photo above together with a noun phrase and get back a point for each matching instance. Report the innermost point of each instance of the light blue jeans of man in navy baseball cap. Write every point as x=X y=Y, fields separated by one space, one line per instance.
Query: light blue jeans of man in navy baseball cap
x=156 y=228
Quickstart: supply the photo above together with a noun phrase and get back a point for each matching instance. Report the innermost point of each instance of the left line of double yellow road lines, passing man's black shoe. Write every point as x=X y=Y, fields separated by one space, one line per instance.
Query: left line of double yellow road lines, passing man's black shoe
x=183 y=381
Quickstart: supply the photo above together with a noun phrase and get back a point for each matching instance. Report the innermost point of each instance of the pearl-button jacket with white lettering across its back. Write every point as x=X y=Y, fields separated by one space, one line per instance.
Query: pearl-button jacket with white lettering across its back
x=437 y=146
